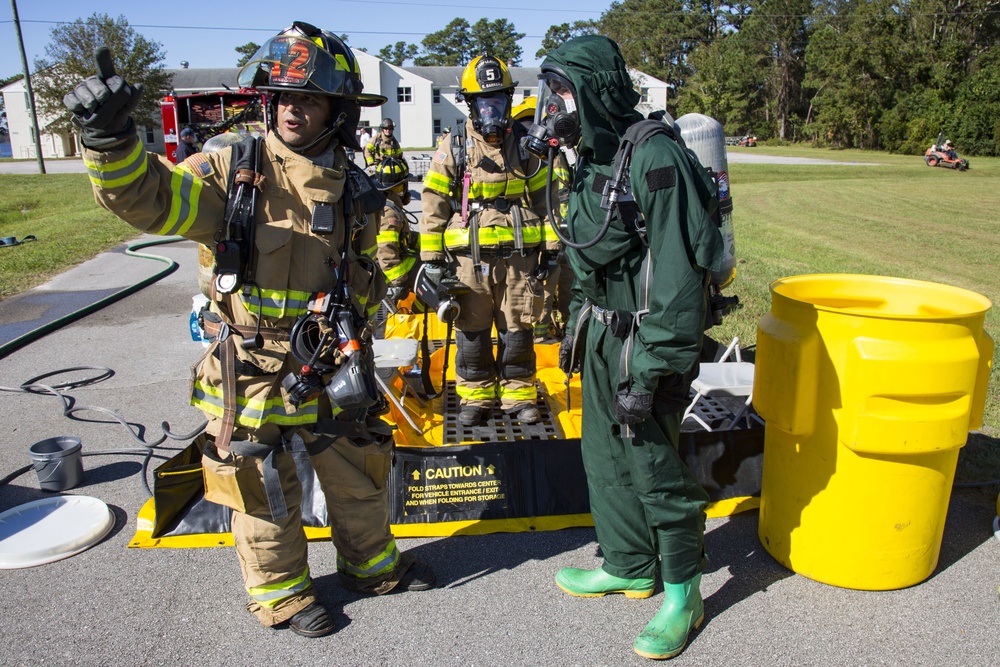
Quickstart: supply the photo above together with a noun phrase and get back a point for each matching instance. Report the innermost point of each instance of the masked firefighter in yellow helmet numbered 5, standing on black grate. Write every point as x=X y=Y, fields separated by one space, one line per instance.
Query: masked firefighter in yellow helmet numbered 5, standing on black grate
x=483 y=210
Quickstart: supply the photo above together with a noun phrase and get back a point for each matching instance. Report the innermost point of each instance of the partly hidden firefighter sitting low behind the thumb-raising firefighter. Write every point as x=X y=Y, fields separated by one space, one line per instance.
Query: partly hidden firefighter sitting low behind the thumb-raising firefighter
x=398 y=245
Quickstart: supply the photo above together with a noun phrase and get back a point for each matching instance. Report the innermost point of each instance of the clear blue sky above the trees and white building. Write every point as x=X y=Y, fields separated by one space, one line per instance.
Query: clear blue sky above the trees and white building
x=206 y=33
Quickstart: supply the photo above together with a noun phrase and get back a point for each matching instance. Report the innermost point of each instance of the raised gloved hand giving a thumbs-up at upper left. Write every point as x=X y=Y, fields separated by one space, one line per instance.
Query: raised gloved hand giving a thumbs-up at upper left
x=102 y=105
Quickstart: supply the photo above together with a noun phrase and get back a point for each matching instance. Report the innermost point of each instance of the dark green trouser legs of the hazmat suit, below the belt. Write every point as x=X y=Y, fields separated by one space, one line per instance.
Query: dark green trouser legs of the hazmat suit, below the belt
x=648 y=509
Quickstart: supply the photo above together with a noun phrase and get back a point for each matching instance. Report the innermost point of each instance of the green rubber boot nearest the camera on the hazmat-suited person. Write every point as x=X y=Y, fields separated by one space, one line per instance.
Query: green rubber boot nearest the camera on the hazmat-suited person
x=682 y=610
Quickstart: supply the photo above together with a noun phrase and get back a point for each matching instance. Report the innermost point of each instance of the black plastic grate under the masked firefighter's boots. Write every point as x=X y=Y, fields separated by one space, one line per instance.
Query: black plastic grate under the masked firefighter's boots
x=497 y=426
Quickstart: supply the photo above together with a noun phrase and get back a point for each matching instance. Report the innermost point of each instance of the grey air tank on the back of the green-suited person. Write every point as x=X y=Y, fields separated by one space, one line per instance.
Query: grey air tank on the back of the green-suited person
x=703 y=135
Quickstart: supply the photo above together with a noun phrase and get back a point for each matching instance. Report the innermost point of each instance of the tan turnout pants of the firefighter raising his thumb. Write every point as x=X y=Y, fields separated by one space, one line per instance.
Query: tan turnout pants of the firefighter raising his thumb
x=273 y=553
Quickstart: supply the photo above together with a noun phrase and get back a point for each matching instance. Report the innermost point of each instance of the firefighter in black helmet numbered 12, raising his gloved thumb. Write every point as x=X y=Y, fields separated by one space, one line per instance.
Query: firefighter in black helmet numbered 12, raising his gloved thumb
x=291 y=269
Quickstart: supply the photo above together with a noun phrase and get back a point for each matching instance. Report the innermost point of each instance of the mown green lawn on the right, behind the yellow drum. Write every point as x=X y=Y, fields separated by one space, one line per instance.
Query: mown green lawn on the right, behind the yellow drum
x=893 y=217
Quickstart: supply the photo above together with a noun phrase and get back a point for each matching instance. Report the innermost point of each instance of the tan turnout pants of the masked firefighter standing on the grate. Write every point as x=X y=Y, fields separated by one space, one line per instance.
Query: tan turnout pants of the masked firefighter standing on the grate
x=505 y=295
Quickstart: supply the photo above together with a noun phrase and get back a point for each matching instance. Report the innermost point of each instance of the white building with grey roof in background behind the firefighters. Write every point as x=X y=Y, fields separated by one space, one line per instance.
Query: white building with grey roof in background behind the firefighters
x=421 y=101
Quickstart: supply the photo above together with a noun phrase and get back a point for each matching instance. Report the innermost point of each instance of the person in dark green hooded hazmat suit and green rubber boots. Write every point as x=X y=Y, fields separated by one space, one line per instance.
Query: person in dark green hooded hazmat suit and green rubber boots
x=647 y=295
